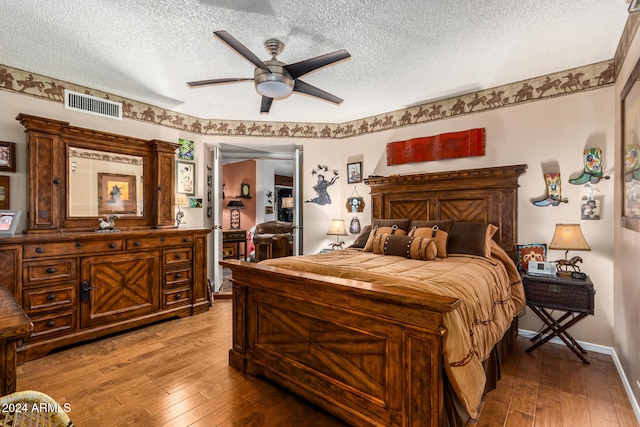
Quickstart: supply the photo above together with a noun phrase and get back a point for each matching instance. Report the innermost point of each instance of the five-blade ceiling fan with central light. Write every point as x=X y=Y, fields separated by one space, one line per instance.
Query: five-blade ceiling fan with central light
x=274 y=79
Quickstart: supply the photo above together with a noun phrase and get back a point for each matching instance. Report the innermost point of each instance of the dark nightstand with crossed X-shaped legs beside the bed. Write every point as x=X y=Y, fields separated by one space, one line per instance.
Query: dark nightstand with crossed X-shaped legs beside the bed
x=572 y=296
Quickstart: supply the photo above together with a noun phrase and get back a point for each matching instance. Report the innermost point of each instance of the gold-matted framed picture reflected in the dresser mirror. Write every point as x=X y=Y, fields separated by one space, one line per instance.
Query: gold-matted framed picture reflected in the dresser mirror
x=116 y=194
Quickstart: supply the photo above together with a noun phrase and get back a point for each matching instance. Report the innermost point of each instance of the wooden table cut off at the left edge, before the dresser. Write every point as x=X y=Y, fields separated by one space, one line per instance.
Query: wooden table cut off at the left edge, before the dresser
x=14 y=327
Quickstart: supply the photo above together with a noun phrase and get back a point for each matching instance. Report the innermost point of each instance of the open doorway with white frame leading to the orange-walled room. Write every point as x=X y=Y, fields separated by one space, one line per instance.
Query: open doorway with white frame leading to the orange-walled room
x=271 y=175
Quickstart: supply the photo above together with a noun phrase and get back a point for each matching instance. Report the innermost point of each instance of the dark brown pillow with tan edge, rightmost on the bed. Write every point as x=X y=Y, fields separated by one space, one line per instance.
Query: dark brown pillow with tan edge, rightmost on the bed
x=471 y=238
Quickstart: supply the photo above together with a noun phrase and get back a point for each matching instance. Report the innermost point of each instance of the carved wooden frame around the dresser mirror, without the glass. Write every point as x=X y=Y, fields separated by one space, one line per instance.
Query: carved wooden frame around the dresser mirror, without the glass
x=48 y=165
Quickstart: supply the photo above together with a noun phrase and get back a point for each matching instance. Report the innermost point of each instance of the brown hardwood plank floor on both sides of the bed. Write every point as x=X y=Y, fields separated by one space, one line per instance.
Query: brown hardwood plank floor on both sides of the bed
x=176 y=374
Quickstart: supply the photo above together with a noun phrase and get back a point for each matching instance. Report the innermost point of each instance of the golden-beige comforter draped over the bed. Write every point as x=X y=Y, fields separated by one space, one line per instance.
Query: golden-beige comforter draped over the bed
x=490 y=291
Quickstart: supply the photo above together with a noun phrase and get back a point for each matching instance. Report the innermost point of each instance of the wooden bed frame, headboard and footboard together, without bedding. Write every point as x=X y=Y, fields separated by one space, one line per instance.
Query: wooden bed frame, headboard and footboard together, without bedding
x=369 y=355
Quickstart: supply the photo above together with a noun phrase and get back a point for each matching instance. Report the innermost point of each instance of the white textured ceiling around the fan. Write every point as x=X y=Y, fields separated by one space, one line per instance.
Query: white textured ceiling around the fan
x=404 y=52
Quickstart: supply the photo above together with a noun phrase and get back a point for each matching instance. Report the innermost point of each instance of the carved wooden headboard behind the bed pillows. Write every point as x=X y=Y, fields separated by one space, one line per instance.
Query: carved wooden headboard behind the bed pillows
x=478 y=195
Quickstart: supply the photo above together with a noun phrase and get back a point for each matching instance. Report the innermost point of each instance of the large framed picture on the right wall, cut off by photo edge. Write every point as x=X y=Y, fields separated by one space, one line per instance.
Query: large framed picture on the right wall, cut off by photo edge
x=630 y=172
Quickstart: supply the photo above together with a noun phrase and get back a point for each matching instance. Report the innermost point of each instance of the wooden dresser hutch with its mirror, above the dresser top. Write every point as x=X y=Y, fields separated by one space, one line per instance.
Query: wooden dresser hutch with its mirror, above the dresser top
x=78 y=176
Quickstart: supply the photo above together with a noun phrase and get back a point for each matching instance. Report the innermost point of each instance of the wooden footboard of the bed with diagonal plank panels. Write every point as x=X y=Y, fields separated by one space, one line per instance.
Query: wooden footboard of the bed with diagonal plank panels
x=369 y=355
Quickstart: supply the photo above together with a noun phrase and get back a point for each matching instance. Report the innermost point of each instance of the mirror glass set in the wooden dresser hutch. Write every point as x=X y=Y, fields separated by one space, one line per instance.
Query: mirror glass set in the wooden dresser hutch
x=103 y=183
